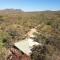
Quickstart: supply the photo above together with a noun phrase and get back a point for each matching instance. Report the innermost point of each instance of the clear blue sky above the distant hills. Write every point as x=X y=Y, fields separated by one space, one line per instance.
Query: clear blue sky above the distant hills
x=30 y=5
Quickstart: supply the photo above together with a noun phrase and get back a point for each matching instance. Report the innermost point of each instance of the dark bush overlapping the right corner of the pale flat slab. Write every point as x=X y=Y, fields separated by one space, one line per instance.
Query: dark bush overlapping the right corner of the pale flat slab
x=38 y=52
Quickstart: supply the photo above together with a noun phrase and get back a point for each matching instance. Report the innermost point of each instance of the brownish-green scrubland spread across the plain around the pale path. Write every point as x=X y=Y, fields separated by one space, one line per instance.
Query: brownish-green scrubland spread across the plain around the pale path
x=14 y=26
